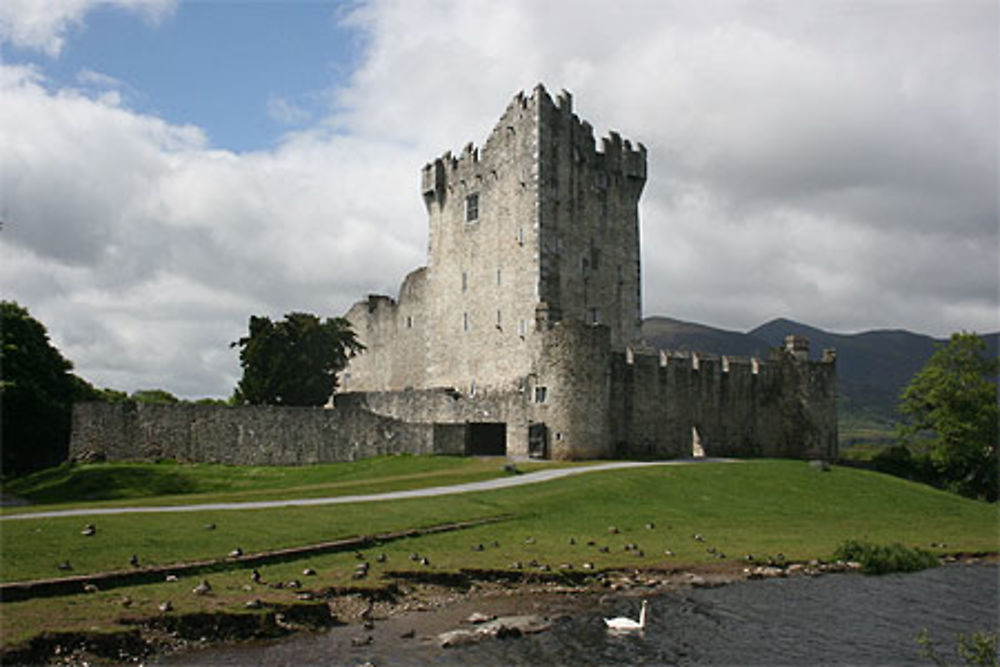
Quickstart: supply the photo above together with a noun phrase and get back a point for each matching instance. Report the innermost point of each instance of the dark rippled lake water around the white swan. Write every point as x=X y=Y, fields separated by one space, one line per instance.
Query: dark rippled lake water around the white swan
x=834 y=620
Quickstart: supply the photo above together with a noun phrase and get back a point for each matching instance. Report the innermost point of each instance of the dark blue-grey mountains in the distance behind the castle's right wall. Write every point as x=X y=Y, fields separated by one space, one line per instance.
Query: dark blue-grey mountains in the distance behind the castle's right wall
x=872 y=367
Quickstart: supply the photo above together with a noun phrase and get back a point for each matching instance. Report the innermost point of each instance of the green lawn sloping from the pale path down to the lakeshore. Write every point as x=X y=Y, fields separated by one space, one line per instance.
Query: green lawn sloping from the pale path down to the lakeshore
x=759 y=507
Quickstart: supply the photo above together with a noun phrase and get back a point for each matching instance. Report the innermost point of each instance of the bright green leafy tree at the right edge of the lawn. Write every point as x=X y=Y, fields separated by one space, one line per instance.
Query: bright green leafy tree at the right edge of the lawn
x=953 y=399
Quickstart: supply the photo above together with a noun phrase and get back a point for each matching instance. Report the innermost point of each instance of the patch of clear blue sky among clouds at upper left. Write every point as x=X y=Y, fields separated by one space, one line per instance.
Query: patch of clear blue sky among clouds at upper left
x=229 y=67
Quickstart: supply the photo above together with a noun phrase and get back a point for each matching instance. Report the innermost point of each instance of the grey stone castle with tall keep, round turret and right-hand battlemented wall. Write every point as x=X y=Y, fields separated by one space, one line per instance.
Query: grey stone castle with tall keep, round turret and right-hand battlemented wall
x=521 y=336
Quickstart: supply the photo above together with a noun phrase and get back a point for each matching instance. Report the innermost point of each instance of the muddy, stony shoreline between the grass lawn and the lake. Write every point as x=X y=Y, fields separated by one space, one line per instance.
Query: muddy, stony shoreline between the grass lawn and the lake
x=451 y=609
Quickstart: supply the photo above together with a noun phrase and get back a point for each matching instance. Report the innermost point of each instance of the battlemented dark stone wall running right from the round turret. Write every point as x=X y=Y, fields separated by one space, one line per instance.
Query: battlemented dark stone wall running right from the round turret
x=781 y=407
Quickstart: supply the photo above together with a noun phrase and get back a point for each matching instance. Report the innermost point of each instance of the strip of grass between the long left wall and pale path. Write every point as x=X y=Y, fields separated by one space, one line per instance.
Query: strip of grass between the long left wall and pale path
x=170 y=483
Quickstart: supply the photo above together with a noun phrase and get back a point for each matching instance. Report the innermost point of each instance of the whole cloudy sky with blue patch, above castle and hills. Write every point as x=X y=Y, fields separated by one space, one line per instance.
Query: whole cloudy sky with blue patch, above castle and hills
x=169 y=168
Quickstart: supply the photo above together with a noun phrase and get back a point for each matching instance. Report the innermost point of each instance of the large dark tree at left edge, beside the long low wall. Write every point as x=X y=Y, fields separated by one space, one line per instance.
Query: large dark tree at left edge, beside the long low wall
x=37 y=391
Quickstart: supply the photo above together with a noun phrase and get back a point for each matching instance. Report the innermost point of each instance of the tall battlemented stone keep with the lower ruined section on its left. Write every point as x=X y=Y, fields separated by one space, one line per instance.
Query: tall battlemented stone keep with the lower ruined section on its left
x=537 y=226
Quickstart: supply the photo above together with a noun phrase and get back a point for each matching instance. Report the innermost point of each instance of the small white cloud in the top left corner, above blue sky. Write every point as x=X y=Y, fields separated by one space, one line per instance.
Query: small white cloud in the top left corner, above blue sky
x=42 y=25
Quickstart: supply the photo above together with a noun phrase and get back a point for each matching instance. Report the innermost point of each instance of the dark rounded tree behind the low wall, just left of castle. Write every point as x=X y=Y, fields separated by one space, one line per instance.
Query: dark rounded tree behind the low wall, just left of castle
x=294 y=361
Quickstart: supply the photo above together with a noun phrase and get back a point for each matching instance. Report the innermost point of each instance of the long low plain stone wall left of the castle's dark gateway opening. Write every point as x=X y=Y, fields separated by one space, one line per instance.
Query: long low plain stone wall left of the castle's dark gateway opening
x=253 y=435
